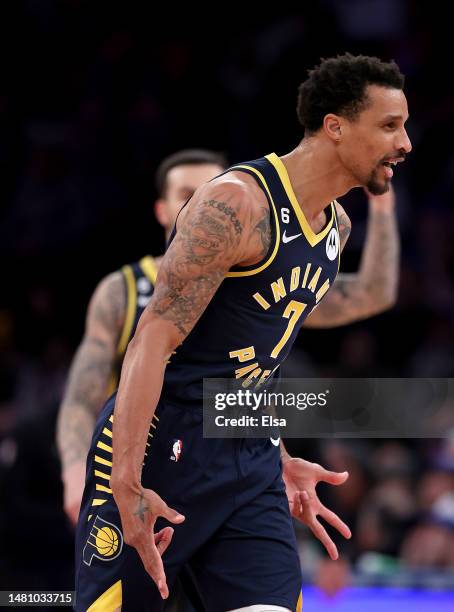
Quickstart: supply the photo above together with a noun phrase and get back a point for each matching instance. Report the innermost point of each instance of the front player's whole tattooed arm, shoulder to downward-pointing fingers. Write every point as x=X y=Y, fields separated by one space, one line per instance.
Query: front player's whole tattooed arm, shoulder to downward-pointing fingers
x=214 y=233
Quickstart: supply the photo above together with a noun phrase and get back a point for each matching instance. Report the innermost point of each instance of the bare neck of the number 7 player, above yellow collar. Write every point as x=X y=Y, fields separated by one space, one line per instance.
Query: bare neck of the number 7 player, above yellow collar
x=316 y=175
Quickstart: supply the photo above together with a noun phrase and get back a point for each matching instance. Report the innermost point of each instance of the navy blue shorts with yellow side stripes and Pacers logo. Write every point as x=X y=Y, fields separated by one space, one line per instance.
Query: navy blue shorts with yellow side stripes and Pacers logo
x=237 y=542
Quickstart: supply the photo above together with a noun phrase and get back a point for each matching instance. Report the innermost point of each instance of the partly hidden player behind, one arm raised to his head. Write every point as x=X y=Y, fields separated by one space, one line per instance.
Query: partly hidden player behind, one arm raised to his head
x=96 y=367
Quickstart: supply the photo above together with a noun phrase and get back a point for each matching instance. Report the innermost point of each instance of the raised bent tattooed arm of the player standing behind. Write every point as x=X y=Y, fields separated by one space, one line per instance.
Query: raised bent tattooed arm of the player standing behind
x=373 y=288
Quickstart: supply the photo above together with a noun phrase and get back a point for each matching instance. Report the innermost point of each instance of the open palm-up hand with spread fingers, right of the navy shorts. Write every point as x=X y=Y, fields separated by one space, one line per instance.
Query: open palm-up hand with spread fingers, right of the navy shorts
x=301 y=477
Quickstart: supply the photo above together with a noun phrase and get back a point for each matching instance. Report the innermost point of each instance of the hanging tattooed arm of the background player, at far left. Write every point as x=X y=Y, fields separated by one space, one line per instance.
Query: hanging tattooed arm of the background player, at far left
x=87 y=386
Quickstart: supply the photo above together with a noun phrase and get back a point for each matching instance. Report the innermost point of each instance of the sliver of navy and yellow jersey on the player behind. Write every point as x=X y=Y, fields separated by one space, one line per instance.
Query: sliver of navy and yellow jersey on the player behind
x=140 y=278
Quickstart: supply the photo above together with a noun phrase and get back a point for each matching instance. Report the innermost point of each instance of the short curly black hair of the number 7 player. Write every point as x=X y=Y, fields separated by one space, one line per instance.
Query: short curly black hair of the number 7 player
x=337 y=85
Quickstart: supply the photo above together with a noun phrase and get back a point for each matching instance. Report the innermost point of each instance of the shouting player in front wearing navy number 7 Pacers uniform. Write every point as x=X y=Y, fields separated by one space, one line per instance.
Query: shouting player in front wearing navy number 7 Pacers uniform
x=232 y=292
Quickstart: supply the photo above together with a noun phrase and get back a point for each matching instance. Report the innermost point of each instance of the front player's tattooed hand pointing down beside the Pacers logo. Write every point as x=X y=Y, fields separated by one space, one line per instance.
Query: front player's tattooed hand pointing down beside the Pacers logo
x=139 y=510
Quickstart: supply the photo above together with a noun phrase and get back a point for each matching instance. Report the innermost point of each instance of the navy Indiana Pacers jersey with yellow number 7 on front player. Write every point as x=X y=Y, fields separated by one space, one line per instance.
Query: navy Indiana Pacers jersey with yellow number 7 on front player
x=250 y=325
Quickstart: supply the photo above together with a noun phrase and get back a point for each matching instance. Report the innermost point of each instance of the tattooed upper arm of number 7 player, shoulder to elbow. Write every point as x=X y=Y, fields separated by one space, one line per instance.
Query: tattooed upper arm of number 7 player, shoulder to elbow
x=209 y=242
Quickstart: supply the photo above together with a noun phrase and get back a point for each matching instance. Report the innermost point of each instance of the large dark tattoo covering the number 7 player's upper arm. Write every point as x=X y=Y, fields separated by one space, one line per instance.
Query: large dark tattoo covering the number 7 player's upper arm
x=194 y=266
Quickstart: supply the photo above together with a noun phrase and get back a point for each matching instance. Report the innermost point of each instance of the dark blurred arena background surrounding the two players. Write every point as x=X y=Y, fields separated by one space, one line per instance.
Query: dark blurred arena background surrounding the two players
x=91 y=99
